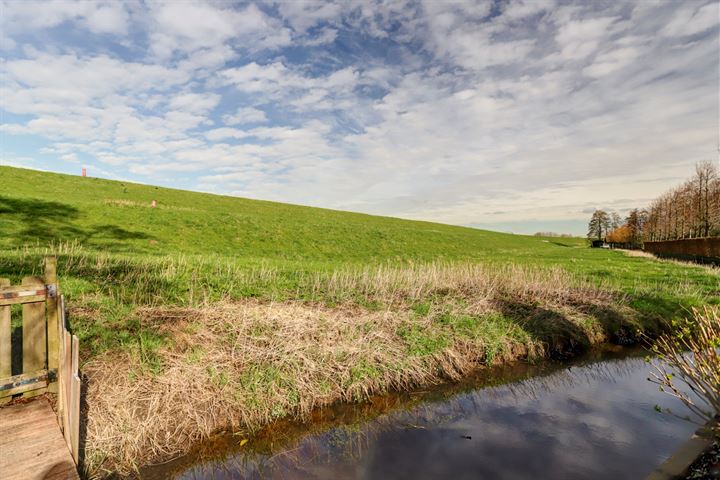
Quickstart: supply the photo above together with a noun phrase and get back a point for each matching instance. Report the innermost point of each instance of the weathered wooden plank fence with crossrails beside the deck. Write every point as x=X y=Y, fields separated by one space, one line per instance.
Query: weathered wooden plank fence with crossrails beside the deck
x=47 y=359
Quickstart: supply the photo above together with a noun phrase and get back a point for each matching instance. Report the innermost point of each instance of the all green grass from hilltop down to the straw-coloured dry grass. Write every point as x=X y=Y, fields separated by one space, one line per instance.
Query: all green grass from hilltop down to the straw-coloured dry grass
x=116 y=252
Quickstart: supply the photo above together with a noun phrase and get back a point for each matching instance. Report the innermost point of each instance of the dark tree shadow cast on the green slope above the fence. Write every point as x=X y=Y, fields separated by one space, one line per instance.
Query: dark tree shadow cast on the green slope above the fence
x=47 y=221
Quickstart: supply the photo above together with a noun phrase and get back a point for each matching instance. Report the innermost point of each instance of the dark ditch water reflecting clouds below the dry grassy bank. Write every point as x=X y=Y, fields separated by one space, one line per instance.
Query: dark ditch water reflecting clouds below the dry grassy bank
x=593 y=418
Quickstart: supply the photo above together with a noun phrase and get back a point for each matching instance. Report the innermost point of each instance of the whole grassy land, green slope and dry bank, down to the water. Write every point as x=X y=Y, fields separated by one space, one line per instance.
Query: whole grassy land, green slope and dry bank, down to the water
x=320 y=305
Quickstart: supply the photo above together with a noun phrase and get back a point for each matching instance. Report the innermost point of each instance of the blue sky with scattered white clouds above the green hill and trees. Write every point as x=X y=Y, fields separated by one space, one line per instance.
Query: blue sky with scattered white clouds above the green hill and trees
x=512 y=116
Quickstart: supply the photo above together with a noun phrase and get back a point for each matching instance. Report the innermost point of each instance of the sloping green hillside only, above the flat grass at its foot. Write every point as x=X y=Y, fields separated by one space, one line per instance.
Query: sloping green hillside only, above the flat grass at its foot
x=117 y=216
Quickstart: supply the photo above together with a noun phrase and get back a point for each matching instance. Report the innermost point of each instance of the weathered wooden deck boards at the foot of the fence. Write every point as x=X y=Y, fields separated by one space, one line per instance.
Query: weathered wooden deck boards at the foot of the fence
x=31 y=444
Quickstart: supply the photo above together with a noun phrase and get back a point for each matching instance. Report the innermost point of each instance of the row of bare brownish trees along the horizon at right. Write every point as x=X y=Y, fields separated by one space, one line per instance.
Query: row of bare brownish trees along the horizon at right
x=690 y=210
